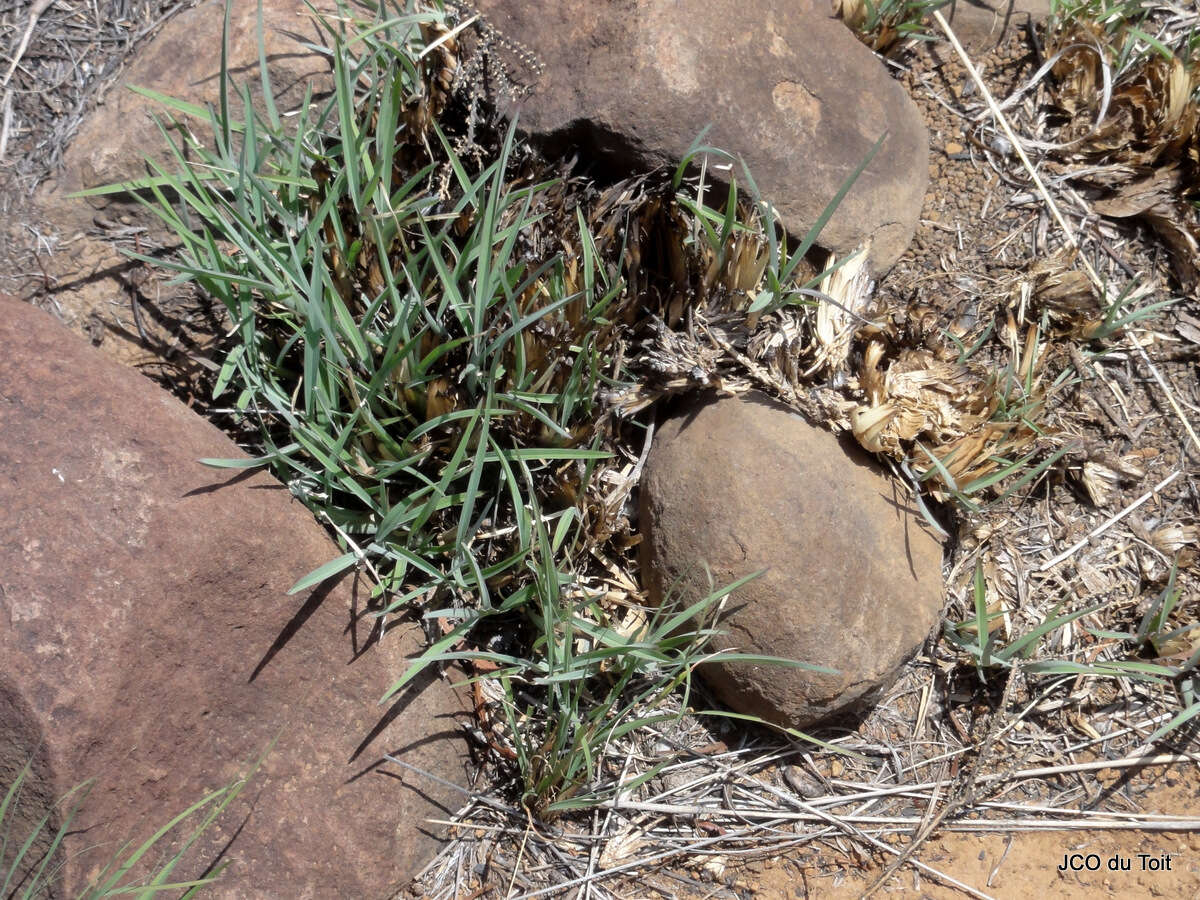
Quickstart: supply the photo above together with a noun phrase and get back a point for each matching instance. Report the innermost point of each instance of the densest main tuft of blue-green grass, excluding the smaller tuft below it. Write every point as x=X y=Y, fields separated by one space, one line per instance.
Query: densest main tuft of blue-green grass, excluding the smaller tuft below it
x=418 y=365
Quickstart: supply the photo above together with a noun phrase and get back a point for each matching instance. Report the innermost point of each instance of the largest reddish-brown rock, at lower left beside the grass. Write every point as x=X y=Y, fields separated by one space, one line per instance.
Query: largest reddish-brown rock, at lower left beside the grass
x=148 y=641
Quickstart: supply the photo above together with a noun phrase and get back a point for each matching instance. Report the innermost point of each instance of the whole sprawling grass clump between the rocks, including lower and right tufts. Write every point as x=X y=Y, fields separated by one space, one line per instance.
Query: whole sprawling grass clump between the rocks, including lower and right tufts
x=445 y=341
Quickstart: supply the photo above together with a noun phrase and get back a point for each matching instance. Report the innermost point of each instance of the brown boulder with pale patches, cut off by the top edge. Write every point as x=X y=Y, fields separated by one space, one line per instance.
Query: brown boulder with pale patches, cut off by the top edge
x=790 y=91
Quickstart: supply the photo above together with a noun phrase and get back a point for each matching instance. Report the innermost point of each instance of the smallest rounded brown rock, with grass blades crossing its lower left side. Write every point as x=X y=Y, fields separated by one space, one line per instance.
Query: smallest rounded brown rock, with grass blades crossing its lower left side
x=854 y=583
